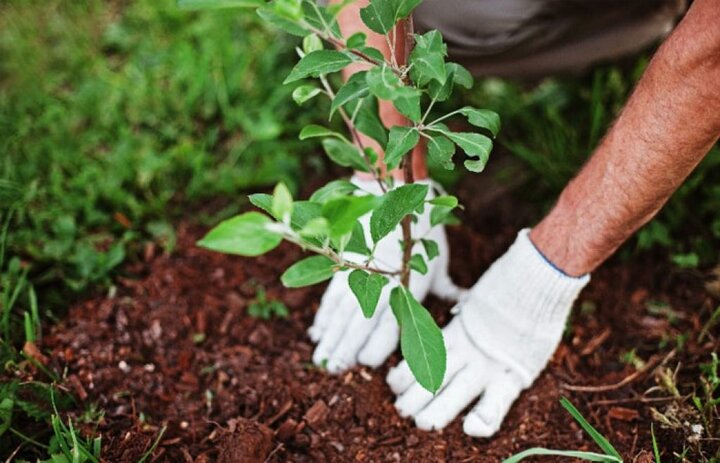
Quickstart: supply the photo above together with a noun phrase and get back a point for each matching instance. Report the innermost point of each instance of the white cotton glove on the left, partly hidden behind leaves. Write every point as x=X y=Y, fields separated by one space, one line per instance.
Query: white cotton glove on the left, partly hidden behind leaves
x=344 y=336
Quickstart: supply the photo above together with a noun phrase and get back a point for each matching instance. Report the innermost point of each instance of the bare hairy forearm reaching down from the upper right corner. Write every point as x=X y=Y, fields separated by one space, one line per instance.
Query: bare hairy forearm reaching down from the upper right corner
x=667 y=126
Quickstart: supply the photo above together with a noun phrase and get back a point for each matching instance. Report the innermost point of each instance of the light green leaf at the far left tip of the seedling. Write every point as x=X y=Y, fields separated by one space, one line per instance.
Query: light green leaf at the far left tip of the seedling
x=245 y=235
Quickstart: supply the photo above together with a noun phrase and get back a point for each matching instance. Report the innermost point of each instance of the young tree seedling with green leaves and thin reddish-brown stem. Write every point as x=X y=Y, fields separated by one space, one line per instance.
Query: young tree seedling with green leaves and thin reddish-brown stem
x=327 y=225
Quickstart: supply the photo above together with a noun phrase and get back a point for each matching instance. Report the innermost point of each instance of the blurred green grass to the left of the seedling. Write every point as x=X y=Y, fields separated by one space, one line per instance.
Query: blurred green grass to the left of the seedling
x=115 y=121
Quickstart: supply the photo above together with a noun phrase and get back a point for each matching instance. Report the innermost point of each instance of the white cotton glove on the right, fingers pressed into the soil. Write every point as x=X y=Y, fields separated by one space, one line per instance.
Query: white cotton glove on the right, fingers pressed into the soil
x=502 y=338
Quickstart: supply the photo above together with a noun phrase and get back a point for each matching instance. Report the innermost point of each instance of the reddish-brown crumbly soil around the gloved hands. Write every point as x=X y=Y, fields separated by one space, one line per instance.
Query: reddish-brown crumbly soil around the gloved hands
x=173 y=346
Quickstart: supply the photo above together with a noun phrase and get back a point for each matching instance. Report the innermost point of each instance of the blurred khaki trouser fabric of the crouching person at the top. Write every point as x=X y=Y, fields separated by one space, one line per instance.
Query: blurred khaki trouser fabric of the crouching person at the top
x=531 y=38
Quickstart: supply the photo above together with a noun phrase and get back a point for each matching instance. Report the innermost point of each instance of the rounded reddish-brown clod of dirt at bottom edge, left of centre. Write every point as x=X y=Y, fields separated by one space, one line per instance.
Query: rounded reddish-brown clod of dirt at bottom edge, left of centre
x=250 y=442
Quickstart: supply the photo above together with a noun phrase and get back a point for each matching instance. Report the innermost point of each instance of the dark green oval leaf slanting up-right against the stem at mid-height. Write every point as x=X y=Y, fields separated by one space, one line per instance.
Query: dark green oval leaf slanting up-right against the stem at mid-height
x=395 y=205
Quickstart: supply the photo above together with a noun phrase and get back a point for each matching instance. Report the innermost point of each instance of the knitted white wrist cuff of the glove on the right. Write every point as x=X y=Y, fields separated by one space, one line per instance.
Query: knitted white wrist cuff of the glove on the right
x=522 y=298
